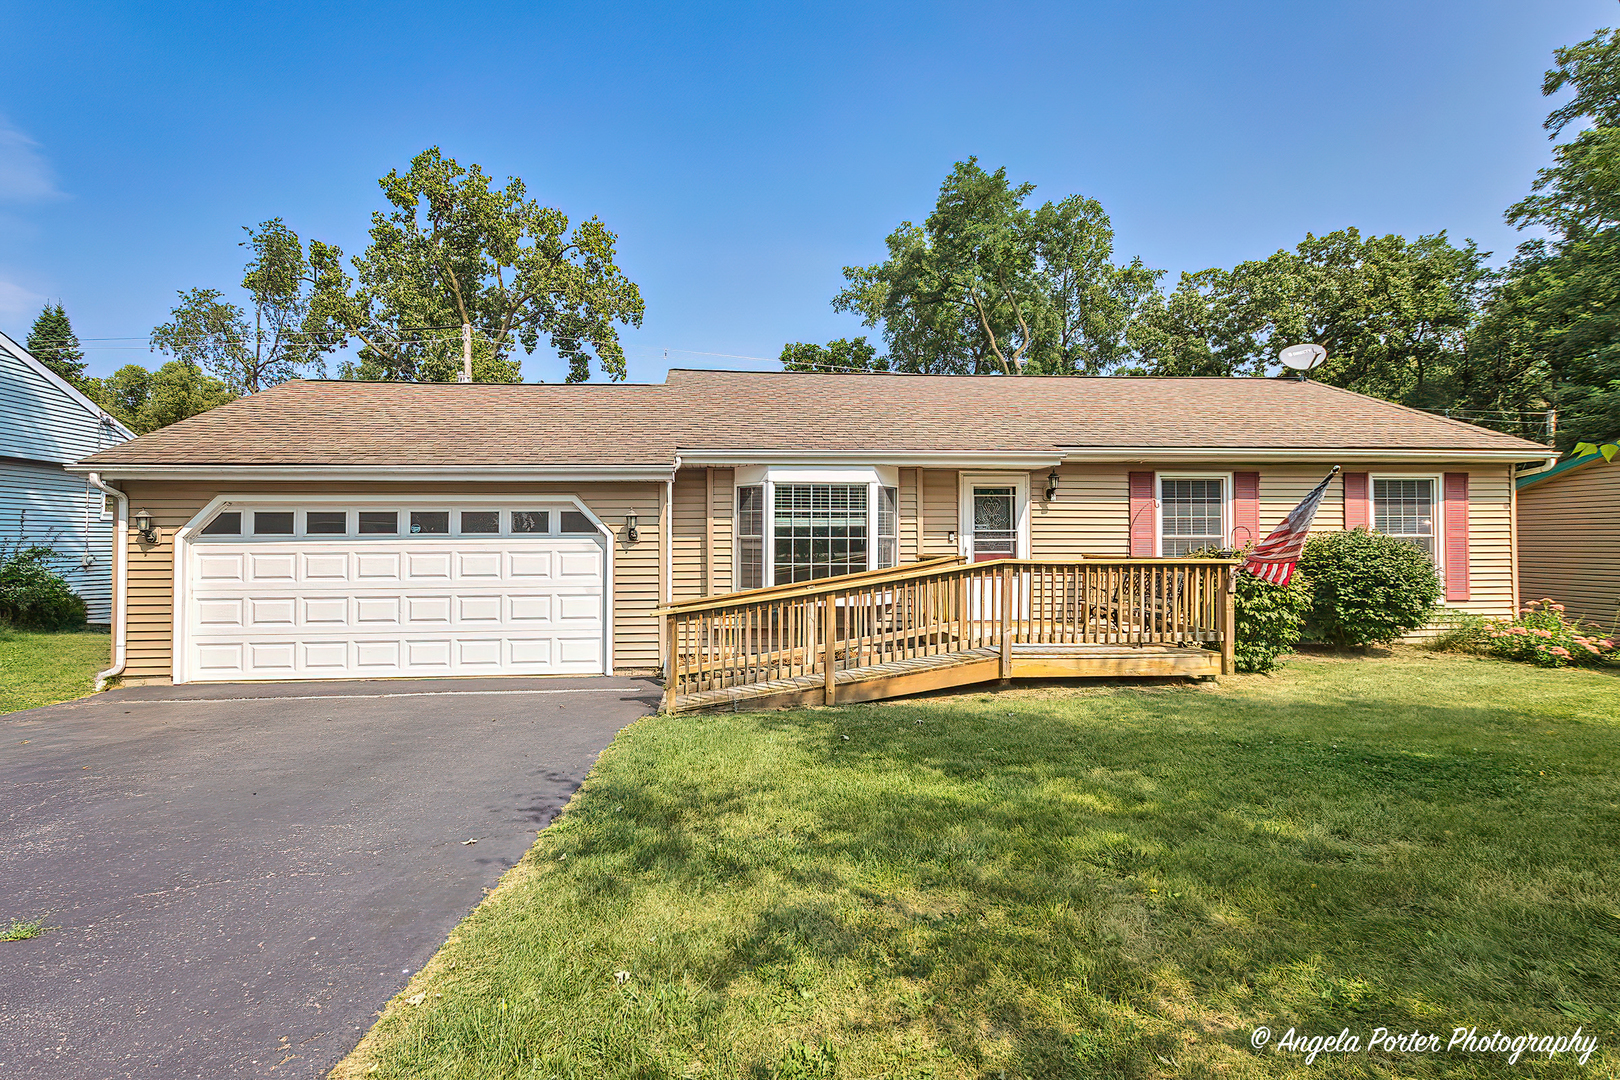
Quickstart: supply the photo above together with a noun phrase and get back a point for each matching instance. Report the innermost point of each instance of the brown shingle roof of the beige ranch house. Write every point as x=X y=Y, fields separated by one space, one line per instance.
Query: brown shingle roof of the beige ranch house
x=545 y=425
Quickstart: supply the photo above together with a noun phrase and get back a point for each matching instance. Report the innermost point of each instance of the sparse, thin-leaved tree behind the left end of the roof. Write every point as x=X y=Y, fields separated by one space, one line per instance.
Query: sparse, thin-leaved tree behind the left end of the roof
x=268 y=342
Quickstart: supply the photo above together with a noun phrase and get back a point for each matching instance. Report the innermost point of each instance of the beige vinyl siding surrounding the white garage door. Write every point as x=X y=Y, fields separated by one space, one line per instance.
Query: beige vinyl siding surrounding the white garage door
x=174 y=504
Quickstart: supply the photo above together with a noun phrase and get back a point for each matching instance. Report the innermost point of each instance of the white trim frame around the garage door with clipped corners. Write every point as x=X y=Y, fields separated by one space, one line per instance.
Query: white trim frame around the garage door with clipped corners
x=184 y=542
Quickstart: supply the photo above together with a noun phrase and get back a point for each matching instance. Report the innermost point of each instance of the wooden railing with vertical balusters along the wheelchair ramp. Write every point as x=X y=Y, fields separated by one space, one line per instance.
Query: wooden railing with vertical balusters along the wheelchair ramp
x=945 y=606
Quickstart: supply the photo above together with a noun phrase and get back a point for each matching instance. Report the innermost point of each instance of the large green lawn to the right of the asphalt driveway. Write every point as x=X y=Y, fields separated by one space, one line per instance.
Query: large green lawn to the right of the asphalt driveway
x=1106 y=882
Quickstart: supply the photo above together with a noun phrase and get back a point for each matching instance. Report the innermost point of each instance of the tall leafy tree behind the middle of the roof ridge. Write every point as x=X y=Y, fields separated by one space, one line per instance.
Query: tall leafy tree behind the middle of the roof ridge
x=989 y=284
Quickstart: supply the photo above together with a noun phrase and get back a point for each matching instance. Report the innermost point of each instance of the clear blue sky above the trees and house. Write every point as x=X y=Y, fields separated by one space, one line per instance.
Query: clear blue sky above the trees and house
x=748 y=153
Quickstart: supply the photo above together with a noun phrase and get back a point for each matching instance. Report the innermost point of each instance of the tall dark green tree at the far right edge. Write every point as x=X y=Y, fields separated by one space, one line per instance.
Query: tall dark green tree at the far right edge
x=1554 y=326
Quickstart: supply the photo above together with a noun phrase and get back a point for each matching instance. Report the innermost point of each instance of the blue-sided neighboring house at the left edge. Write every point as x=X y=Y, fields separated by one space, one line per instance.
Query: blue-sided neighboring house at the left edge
x=45 y=425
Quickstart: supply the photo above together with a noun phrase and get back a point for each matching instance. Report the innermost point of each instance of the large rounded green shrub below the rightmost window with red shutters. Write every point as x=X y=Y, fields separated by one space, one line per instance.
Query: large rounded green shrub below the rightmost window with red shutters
x=1366 y=589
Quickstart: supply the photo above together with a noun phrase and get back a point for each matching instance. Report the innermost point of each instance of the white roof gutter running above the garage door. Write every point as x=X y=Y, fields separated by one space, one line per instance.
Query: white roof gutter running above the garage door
x=419 y=474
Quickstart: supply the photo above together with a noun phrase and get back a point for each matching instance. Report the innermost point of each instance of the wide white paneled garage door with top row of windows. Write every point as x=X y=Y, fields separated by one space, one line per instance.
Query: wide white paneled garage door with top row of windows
x=362 y=593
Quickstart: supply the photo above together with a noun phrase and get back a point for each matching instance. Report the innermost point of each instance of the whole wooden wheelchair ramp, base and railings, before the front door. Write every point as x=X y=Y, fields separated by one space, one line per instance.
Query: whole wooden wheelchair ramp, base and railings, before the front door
x=945 y=624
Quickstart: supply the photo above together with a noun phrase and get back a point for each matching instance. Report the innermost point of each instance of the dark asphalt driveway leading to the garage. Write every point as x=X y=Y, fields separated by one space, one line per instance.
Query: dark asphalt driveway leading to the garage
x=241 y=877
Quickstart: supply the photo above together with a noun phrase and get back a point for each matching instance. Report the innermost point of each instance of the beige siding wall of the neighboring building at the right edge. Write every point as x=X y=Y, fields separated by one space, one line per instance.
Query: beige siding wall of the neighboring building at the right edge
x=1567 y=542
